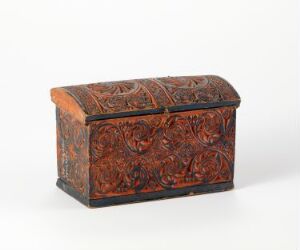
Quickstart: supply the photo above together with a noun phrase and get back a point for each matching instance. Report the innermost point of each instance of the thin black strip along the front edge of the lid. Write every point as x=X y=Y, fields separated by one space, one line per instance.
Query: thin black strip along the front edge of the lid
x=163 y=110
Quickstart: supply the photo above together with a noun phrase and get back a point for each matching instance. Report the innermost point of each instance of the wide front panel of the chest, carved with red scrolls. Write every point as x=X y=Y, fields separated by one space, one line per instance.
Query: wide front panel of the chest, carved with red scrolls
x=160 y=152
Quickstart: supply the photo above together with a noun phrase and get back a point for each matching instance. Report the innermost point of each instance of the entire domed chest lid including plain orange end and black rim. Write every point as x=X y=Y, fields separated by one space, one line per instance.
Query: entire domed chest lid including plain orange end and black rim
x=107 y=100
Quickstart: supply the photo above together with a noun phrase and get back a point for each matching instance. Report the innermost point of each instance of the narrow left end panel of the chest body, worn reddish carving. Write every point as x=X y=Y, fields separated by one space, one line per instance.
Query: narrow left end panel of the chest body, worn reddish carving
x=72 y=152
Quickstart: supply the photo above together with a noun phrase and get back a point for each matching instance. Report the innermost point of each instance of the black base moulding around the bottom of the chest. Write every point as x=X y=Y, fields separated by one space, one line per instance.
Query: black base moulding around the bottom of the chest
x=117 y=200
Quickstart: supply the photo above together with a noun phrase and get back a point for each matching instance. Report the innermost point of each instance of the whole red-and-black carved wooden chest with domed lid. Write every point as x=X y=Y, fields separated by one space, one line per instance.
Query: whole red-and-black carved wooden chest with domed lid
x=136 y=140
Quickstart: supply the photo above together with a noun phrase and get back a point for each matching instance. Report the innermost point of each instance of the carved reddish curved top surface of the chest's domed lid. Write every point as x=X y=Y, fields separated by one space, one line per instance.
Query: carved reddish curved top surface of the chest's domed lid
x=144 y=94
